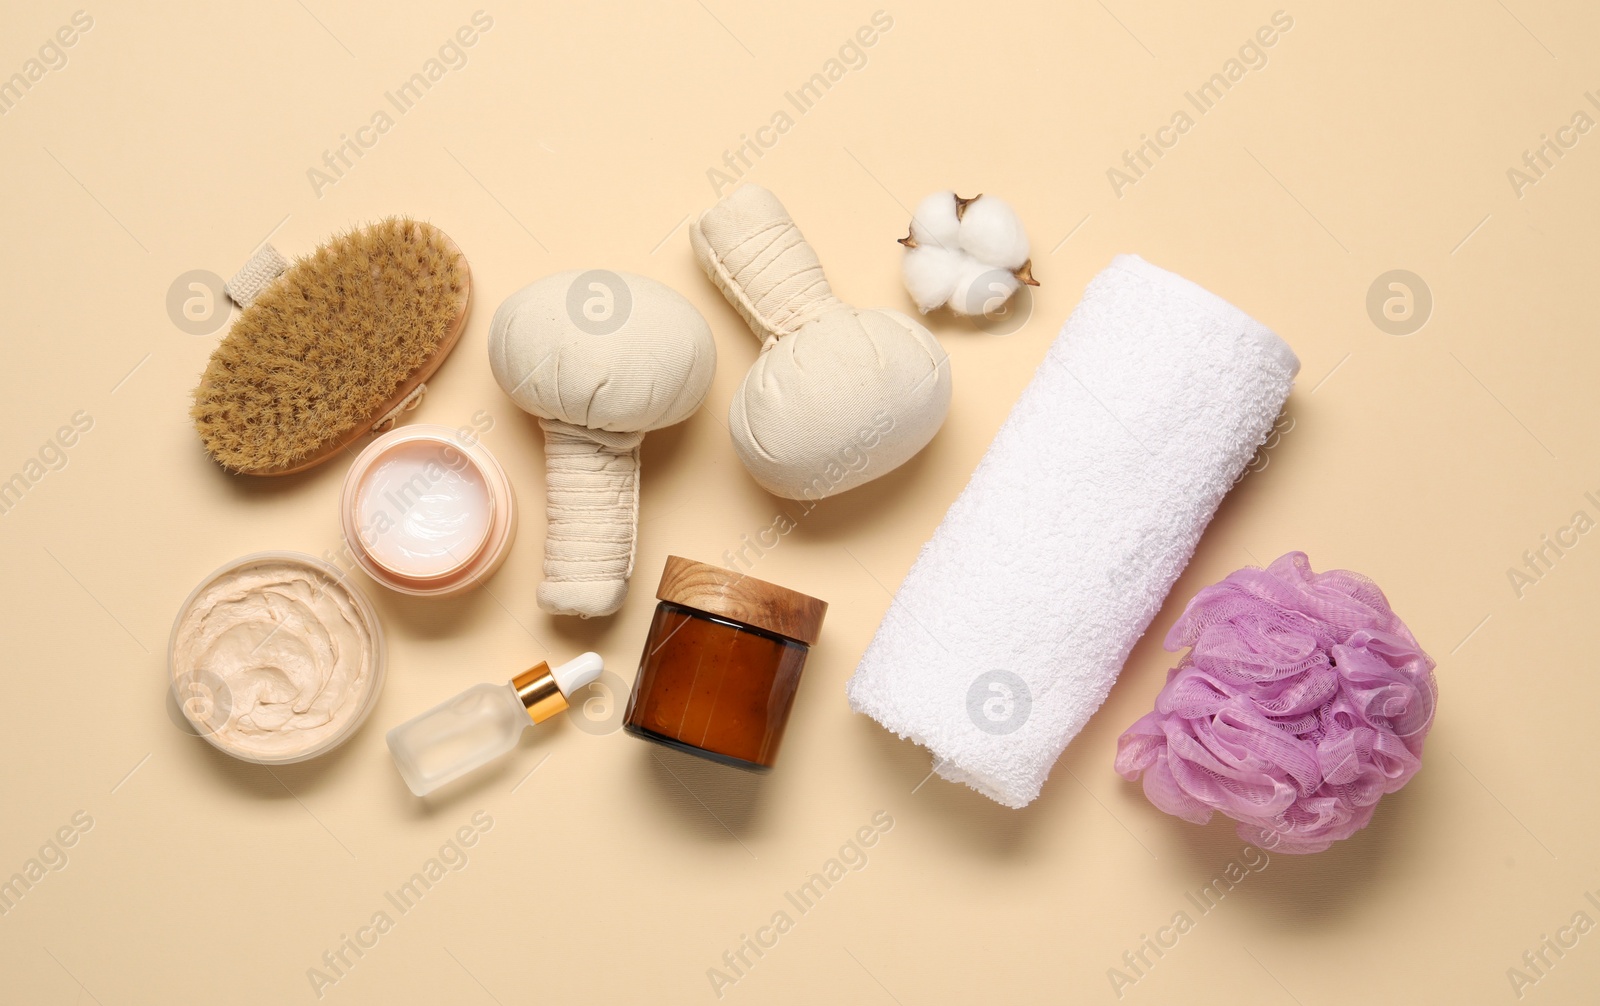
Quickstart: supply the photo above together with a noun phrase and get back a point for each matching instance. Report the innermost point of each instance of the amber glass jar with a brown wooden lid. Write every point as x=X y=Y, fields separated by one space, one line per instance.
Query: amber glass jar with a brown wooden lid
x=722 y=665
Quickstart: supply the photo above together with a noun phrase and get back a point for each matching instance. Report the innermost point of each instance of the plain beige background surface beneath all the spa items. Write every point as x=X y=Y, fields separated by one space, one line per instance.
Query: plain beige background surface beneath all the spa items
x=1378 y=138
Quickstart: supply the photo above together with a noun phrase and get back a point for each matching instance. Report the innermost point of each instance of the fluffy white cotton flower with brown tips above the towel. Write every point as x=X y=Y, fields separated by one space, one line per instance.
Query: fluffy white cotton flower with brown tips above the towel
x=969 y=255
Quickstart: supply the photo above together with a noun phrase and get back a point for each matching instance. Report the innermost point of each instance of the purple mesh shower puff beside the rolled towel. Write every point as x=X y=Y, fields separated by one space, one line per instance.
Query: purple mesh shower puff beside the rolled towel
x=1302 y=701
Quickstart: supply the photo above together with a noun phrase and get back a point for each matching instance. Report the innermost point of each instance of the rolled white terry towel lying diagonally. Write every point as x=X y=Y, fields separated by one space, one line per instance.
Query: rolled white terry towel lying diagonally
x=1020 y=612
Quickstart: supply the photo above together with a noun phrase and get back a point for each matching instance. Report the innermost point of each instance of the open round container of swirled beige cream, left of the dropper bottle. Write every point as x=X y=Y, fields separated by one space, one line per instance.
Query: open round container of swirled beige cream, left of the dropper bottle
x=289 y=652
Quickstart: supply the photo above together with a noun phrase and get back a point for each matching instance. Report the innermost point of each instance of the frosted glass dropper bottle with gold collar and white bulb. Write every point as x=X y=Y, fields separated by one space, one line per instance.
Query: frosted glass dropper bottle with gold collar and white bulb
x=484 y=722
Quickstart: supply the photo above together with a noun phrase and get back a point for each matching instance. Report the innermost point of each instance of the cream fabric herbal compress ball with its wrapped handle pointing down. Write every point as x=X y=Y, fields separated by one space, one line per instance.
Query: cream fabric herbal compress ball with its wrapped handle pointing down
x=599 y=357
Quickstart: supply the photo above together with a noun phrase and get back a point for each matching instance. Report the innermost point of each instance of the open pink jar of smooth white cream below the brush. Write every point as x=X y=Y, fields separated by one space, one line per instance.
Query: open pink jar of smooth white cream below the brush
x=428 y=511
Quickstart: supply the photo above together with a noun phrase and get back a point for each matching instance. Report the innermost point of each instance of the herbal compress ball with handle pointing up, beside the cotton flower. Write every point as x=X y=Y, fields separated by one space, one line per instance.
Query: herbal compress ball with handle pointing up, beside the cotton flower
x=839 y=396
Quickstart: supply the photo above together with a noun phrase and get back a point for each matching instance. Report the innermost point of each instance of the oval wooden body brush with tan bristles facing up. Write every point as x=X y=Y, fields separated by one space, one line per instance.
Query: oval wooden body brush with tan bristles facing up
x=329 y=343
